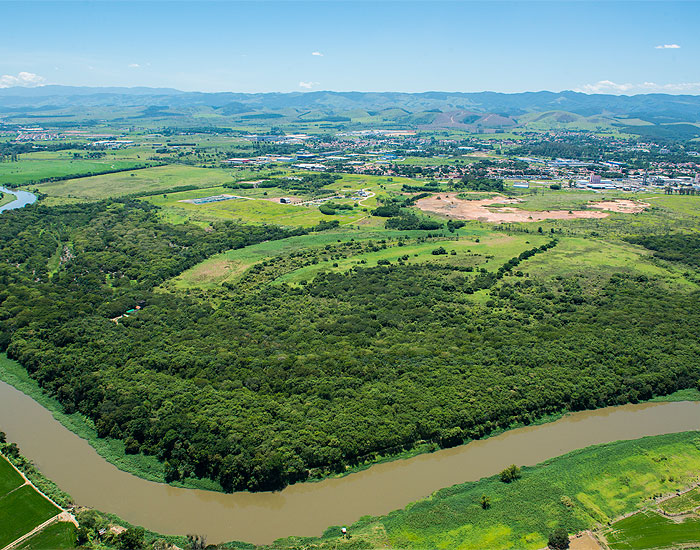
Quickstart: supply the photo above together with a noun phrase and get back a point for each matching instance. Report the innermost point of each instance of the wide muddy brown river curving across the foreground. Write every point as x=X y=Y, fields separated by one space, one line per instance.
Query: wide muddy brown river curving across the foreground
x=308 y=508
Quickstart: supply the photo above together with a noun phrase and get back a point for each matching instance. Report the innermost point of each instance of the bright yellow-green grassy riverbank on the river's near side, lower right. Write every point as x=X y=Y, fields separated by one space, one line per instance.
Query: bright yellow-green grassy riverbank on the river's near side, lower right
x=577 y=491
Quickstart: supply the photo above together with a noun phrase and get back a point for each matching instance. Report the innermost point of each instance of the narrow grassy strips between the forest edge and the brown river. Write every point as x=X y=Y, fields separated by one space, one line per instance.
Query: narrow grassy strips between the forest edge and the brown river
x=151 y=469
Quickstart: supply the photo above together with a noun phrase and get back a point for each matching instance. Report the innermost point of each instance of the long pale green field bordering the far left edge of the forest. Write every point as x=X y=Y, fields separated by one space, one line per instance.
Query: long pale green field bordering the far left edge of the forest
x=159 y=178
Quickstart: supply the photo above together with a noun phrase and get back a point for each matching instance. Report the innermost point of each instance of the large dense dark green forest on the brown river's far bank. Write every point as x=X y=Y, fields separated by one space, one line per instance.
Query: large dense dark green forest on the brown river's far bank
x=261 y=386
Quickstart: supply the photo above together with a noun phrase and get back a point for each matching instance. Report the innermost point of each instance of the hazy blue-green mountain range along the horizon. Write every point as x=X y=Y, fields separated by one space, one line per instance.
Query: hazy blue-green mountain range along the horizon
x=661 y=114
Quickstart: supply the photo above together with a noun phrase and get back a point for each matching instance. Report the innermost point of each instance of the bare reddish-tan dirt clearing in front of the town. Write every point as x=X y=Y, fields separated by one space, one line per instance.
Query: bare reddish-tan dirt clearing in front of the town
x=449 y=205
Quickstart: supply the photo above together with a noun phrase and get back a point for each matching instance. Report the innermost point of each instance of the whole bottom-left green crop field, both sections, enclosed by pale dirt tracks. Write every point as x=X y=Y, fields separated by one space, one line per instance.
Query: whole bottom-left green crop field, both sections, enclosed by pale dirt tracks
x=22 y=508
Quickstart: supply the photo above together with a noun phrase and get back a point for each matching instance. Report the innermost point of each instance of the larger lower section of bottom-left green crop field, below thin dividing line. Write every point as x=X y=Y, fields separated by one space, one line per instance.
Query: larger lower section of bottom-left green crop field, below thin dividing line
x=21 y=511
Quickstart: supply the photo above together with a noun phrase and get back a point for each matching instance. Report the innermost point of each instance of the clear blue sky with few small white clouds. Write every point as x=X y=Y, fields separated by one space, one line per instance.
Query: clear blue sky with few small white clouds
x=264 y=46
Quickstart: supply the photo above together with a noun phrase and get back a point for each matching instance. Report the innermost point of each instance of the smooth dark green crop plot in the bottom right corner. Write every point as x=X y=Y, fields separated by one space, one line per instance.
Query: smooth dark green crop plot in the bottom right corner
x=649 y=530
